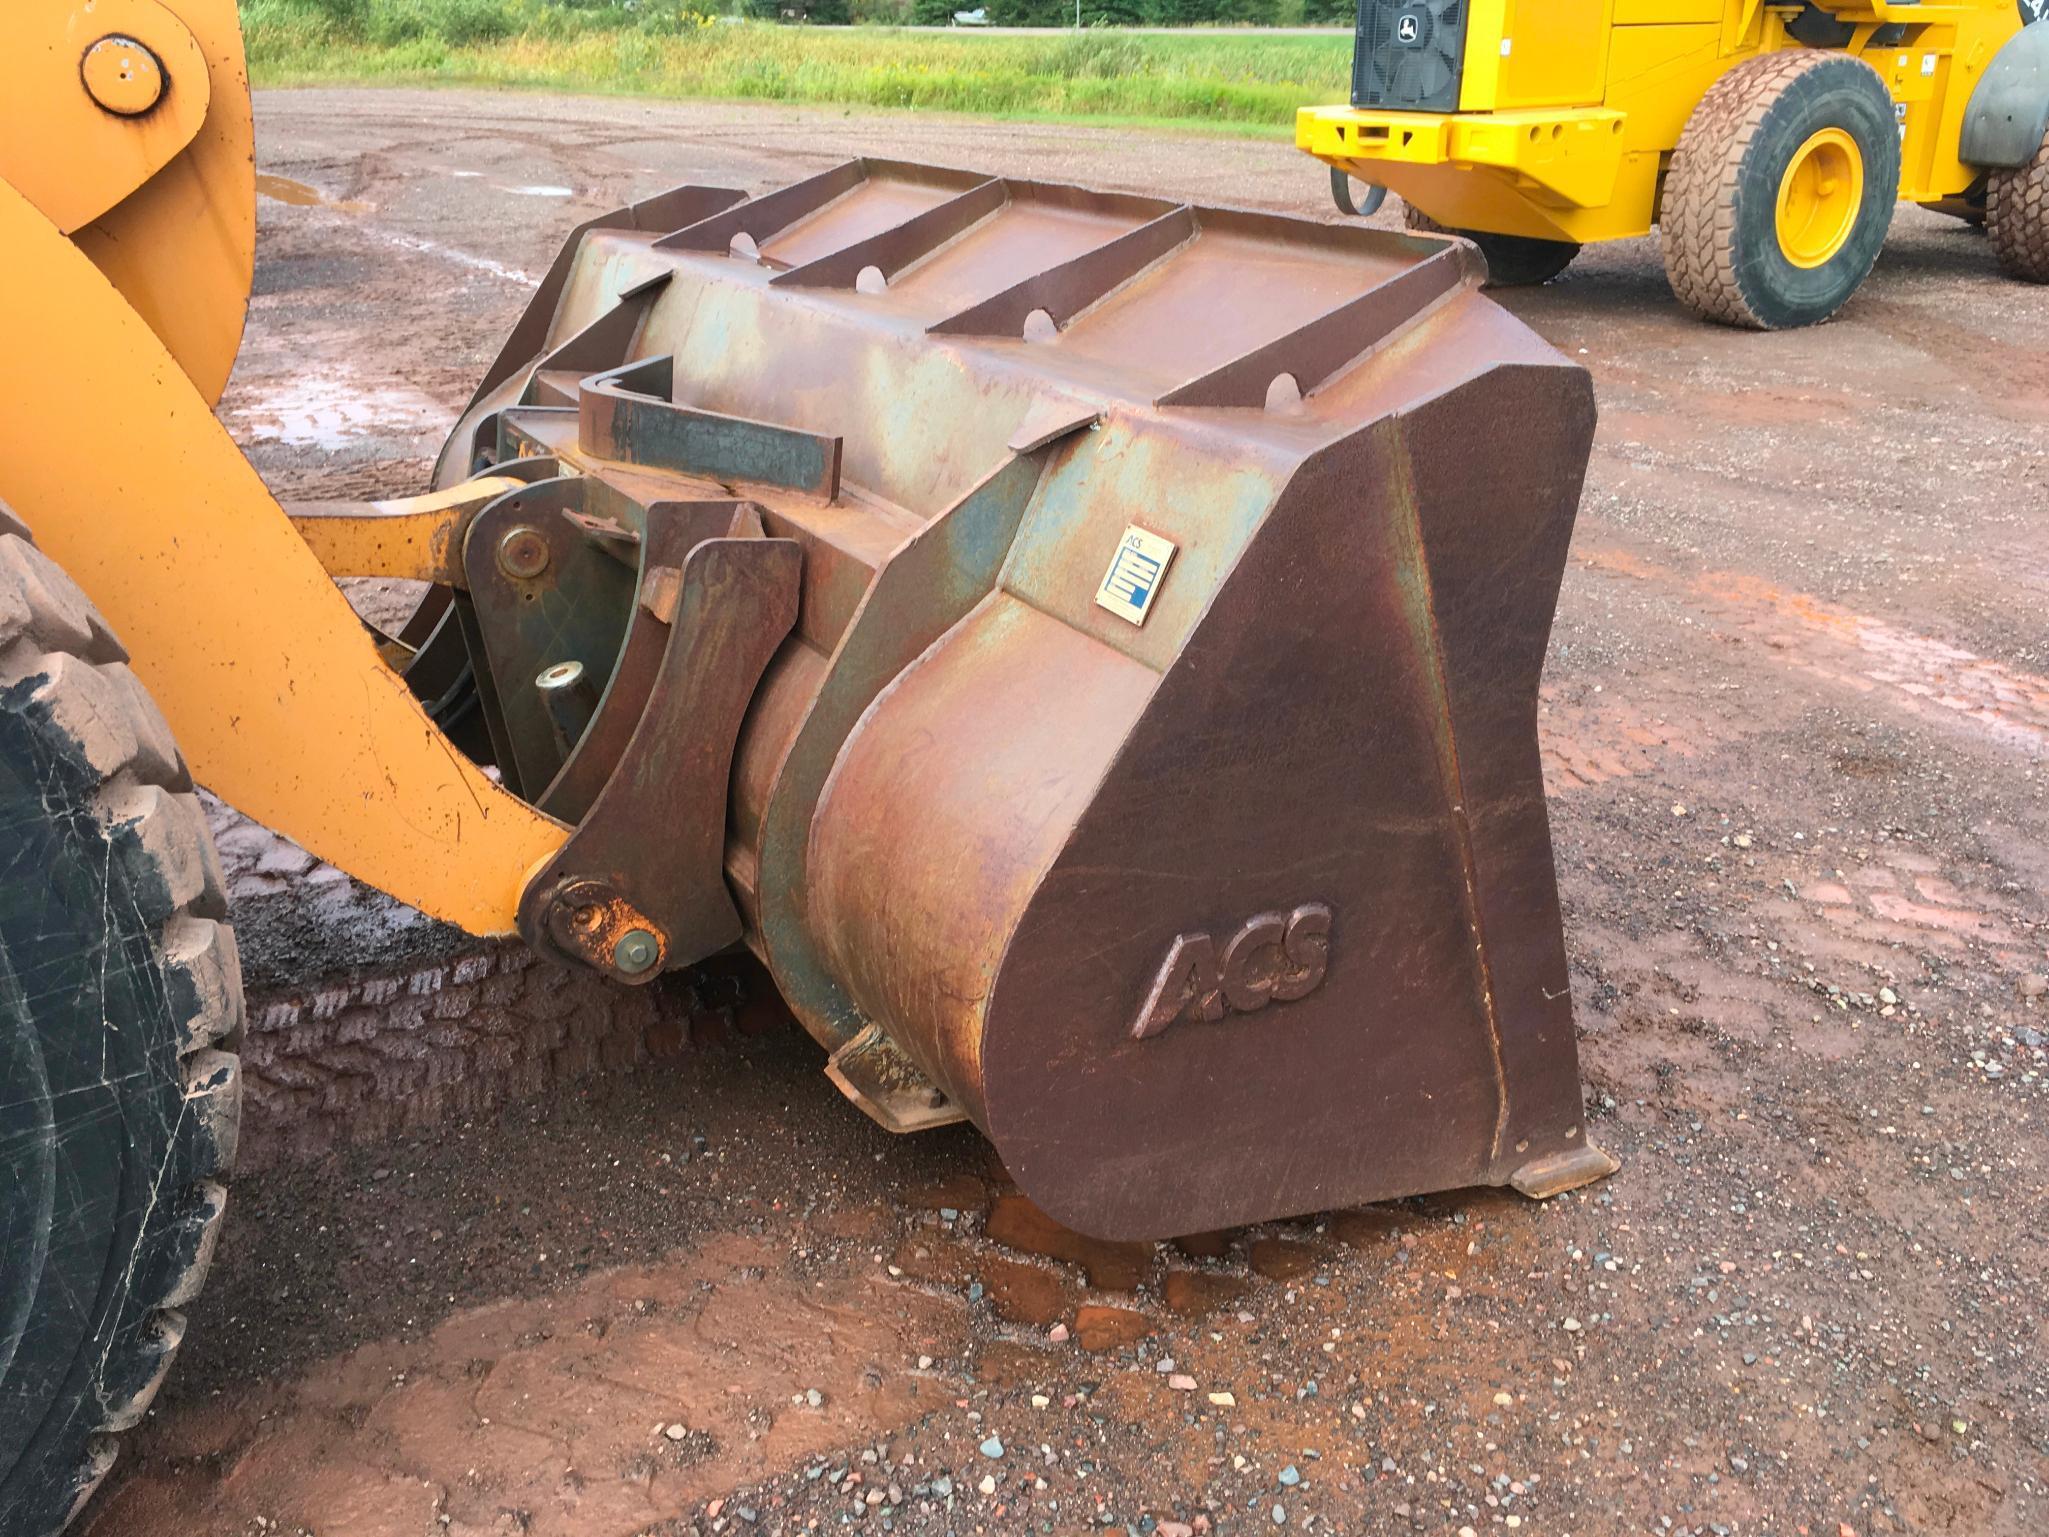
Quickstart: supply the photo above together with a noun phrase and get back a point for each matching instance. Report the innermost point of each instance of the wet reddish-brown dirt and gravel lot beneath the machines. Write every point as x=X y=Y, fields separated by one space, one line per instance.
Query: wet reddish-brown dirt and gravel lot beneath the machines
x=1798 y=739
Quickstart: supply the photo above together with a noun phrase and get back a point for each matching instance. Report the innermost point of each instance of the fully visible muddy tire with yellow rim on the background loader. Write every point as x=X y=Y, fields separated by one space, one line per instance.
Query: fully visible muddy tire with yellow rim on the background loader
x=1782 y=192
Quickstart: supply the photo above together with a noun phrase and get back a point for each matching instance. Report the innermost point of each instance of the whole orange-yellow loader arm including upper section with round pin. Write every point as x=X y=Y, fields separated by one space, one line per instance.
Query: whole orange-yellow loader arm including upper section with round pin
x=126 y=243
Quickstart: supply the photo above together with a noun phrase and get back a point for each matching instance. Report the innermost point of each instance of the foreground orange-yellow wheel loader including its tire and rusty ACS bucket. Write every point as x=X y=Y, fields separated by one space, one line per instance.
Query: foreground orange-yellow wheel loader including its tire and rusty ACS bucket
x=1069 y=638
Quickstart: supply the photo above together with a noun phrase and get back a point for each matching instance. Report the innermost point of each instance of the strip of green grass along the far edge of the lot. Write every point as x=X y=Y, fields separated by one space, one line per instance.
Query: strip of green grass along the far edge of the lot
x=661 y=48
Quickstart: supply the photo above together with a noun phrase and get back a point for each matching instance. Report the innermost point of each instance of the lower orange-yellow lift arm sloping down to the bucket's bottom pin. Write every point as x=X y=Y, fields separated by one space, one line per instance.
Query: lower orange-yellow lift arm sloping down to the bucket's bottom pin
x=269 y=677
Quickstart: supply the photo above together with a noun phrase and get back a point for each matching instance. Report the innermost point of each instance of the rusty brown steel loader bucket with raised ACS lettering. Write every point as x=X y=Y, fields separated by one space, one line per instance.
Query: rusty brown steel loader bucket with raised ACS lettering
x=1122 y=729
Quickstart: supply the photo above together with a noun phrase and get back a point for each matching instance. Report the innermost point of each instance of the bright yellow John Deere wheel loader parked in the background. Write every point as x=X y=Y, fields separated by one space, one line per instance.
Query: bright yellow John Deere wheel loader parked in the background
x=1765 y=142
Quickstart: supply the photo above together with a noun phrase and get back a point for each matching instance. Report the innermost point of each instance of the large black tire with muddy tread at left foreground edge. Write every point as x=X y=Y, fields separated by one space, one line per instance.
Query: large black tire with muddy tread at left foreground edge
x=120 y=1011
